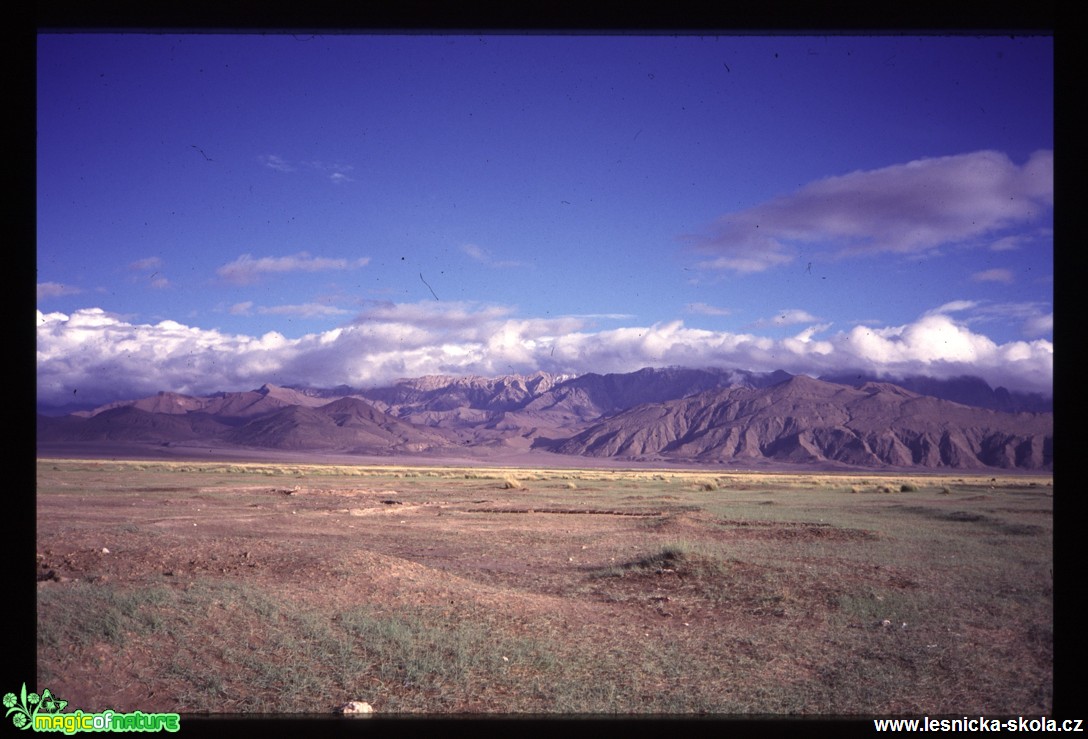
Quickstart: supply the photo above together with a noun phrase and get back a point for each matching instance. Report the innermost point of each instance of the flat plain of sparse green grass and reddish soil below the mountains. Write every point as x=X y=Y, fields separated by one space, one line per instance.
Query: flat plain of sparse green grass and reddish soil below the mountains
x=264 y=588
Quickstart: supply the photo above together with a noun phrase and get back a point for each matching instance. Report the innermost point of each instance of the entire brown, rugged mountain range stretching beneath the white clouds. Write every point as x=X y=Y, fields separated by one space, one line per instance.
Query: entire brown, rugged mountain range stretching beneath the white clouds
x=671 y=415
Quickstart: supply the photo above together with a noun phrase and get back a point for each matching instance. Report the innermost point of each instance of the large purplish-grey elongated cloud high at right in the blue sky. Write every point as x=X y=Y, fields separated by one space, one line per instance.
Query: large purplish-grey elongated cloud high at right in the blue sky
x=912 y=208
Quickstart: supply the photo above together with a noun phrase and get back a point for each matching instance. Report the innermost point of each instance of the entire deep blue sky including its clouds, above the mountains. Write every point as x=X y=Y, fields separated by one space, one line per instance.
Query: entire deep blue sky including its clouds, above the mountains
x=218 y=212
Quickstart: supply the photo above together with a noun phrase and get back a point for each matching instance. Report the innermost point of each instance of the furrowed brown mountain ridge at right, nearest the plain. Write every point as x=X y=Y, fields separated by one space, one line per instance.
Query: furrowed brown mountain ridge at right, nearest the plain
x=805 y=421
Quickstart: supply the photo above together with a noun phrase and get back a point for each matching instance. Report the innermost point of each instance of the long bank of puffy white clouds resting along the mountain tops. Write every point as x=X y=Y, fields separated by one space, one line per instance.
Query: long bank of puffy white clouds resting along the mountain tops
x=108 y=358
